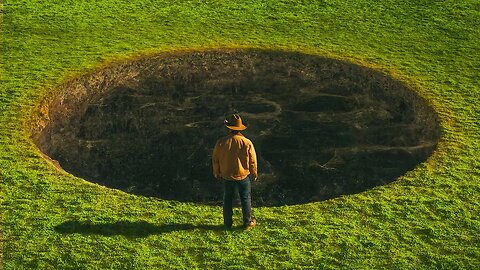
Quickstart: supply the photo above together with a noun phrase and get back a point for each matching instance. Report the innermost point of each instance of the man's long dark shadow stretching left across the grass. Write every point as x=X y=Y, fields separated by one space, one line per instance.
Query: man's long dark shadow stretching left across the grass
x=130 y=229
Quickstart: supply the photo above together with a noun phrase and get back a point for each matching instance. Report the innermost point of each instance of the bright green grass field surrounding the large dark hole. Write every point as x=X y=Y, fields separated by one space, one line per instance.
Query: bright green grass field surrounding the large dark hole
x=428 y=219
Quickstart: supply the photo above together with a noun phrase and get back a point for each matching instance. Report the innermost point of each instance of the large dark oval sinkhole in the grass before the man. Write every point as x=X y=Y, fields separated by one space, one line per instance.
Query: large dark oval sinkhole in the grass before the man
x=321 y=127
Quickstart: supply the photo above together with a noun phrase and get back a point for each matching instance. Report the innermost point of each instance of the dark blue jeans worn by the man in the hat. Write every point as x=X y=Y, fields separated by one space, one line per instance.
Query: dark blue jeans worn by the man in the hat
x=244 y=189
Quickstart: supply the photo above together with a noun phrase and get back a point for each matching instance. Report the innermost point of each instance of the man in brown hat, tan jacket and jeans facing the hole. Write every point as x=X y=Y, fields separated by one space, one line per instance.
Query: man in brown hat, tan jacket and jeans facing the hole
x=235 y=162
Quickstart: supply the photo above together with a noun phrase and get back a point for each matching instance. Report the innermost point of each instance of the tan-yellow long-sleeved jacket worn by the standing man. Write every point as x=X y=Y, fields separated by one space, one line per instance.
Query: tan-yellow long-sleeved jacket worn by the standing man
x=234 y=158
